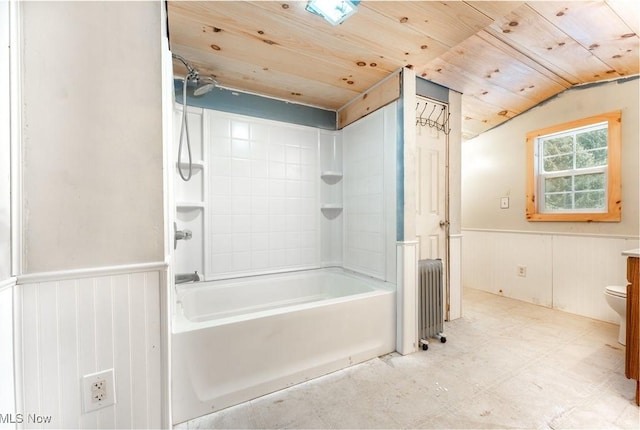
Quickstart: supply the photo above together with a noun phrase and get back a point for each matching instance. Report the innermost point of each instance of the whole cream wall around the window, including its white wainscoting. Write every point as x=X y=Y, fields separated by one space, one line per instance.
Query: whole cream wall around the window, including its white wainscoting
x=568 y=264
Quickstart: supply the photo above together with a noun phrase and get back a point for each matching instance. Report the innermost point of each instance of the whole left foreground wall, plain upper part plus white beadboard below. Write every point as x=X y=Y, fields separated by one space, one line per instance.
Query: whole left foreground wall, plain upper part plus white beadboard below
x=92 y=211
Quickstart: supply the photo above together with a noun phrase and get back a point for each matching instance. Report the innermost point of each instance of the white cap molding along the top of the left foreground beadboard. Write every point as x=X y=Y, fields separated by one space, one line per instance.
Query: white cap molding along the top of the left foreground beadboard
x=92 y=272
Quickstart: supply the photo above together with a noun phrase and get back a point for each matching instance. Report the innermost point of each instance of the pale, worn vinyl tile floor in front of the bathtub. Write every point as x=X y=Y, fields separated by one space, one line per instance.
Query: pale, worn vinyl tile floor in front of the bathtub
x=506 y=364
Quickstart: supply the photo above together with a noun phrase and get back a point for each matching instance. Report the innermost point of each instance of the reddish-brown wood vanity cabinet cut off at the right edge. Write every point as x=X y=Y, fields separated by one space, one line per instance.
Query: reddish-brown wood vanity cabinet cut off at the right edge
x=632 y=358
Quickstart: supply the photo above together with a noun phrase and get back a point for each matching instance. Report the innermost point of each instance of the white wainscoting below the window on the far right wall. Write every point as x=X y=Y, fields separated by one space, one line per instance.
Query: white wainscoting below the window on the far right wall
x=563 y=271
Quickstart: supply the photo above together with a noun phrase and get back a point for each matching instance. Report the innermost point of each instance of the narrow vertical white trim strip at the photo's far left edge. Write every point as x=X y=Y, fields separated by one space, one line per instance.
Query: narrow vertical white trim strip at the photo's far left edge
x=15 y=93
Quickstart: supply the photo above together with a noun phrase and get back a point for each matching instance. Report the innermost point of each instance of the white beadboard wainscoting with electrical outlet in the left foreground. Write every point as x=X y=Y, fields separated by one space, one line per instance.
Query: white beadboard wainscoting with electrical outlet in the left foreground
x=69 y=327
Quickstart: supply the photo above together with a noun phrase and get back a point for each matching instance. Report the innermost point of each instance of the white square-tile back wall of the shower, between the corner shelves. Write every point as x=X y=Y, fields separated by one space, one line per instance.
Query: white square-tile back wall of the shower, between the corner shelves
x=263 y=195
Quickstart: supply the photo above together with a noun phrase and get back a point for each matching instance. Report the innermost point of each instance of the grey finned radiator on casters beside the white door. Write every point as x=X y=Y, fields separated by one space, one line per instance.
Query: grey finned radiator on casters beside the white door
x=430 y=301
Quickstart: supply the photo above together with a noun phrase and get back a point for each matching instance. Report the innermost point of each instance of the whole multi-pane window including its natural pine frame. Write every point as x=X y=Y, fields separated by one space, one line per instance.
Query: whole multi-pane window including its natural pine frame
x=573 y=171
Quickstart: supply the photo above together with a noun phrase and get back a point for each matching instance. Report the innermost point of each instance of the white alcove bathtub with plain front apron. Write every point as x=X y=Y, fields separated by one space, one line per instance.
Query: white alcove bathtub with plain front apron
x=237 y=340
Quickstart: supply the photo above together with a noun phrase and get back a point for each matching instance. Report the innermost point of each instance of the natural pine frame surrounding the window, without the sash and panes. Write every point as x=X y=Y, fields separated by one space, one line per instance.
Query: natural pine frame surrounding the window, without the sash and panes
x=613 y=213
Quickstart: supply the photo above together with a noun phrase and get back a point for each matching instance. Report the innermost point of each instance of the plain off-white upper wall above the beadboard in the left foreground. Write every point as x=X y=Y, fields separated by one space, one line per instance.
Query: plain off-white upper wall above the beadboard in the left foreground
x=92 y=134
